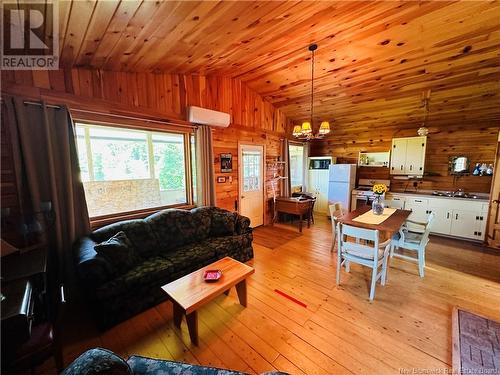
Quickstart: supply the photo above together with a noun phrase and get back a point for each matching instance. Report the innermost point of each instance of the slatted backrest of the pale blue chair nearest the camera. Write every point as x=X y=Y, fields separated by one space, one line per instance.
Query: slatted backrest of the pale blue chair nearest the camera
x=370 y=236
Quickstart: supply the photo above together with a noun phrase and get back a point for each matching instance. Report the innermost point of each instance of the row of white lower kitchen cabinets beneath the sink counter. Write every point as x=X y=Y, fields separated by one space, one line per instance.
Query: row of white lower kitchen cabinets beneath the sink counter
x=453 y=217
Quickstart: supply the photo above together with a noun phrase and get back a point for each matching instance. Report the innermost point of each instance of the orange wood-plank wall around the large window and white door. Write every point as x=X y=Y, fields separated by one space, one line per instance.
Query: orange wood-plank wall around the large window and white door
x=160 y=96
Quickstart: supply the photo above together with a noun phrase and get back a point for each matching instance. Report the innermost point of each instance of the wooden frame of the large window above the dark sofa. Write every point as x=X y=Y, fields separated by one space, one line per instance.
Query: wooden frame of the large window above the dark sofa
x=138 y=125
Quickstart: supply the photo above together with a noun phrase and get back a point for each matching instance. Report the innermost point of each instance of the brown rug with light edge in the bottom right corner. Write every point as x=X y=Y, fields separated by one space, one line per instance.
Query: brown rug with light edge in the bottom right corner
x=476 y=344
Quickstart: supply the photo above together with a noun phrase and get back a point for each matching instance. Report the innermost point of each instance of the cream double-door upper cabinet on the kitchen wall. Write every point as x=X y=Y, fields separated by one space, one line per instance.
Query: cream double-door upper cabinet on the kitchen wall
x=408 y=156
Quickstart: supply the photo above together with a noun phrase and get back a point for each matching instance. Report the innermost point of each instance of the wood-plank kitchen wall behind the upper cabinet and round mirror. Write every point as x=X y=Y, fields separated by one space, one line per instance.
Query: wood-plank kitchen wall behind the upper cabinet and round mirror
x=477 y=142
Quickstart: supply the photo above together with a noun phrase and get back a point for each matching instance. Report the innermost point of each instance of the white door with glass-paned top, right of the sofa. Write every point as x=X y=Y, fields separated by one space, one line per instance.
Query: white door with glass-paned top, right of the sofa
x=252 y=183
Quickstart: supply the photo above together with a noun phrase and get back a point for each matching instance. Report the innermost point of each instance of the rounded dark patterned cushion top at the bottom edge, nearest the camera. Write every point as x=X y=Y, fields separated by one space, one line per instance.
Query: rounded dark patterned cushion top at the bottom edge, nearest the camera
x=98 y=362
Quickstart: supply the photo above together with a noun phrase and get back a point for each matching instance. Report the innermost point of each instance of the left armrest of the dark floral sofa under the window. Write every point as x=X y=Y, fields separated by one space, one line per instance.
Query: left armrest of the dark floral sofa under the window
x=92 y=269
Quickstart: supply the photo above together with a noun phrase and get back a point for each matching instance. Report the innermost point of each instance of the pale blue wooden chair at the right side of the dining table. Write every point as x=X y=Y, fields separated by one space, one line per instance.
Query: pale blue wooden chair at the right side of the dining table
x=413 y=236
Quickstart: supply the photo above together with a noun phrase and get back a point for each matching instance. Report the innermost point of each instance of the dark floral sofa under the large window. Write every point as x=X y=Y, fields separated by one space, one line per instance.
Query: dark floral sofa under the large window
x=122 y=266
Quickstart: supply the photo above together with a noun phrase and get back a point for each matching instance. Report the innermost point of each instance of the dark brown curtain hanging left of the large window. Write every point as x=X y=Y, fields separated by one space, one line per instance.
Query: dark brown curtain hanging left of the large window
x=47 y=170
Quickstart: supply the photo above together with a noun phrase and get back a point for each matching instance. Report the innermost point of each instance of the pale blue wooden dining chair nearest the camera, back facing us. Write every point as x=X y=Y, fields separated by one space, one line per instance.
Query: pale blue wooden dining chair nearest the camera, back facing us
x=371 y=254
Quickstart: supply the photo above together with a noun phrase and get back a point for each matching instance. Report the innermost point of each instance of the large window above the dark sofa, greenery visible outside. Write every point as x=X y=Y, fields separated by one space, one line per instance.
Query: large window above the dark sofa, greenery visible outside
x=127 y=170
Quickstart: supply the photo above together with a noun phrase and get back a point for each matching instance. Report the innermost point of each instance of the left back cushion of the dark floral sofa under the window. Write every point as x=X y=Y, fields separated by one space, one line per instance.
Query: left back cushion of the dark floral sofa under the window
x=138 y=232
